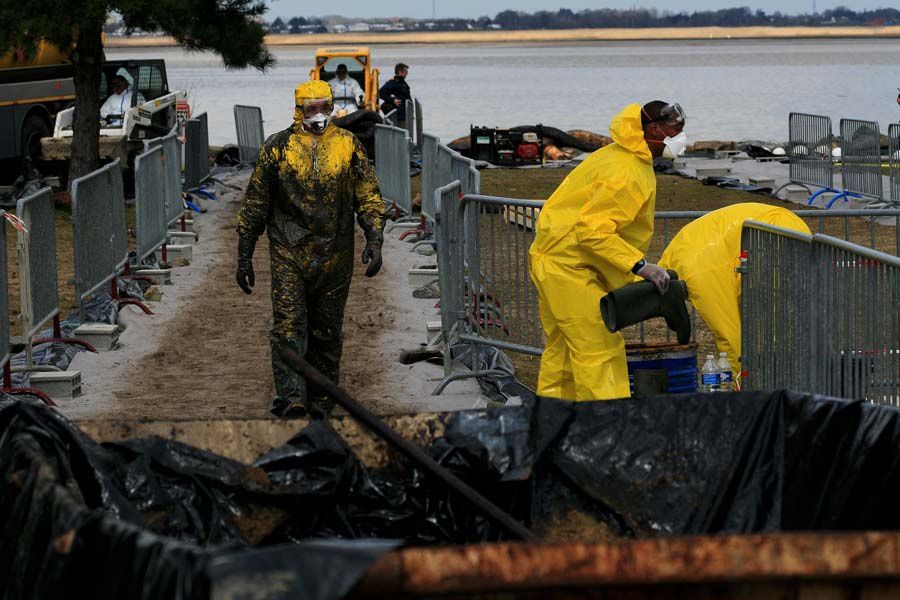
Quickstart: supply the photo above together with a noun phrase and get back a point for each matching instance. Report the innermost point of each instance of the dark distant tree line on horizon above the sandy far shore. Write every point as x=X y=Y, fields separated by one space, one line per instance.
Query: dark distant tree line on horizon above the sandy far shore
x=610 y=18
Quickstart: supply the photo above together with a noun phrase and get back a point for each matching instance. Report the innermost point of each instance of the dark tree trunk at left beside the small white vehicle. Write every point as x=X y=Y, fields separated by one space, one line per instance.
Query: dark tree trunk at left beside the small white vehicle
x=87 y=59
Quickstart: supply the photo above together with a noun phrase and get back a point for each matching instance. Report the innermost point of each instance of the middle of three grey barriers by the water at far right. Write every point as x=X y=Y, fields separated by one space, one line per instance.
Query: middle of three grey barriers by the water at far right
x=861 y=158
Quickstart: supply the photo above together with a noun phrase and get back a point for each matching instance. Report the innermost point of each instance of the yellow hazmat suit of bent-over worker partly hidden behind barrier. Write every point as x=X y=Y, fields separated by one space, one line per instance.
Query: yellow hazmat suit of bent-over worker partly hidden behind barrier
x=705 y=254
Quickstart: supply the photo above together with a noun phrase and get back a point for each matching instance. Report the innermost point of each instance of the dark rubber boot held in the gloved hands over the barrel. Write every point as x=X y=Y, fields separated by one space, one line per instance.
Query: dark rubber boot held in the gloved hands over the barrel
x=640 y=301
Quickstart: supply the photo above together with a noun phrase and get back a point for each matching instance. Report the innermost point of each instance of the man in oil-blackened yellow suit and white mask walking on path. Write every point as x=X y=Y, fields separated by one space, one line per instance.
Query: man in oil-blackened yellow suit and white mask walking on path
x=309 y=181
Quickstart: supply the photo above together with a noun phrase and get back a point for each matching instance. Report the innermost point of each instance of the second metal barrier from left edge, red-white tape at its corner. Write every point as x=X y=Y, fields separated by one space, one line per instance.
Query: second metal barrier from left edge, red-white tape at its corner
x=37 y=261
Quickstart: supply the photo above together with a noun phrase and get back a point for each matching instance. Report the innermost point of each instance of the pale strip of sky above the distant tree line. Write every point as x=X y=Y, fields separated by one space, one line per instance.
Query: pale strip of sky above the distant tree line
x=476 y=8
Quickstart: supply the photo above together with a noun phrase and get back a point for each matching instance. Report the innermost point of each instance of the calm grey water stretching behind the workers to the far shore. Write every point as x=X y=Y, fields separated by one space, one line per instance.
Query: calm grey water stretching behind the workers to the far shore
x=731 y=90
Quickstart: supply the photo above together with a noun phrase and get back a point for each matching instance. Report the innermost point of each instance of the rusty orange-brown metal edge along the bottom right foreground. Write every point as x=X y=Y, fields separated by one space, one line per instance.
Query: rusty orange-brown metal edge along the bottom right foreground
x=497 y=568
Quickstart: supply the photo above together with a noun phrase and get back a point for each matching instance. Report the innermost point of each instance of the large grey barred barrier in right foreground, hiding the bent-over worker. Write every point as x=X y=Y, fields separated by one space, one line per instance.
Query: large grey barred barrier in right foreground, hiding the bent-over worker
x=820 y=315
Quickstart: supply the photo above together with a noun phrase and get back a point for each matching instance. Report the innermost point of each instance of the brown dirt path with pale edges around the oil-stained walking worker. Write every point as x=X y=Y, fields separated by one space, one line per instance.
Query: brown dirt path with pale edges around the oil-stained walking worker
x=205 y=353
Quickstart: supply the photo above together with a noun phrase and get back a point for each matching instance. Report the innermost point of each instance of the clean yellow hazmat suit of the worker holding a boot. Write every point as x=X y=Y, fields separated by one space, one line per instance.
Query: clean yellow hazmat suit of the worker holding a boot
x=590 y=233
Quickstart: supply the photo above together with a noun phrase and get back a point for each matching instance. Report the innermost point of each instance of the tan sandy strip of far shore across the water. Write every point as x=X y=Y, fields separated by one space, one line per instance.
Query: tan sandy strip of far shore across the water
x=548 y=36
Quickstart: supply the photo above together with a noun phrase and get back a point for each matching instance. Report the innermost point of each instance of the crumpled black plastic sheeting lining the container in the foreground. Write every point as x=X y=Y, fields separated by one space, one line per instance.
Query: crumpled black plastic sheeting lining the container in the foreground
x=155 y=518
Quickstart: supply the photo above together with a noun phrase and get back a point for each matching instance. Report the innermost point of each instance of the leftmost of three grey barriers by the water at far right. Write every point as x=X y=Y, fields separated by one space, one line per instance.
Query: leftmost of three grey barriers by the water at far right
x=809 y=150
